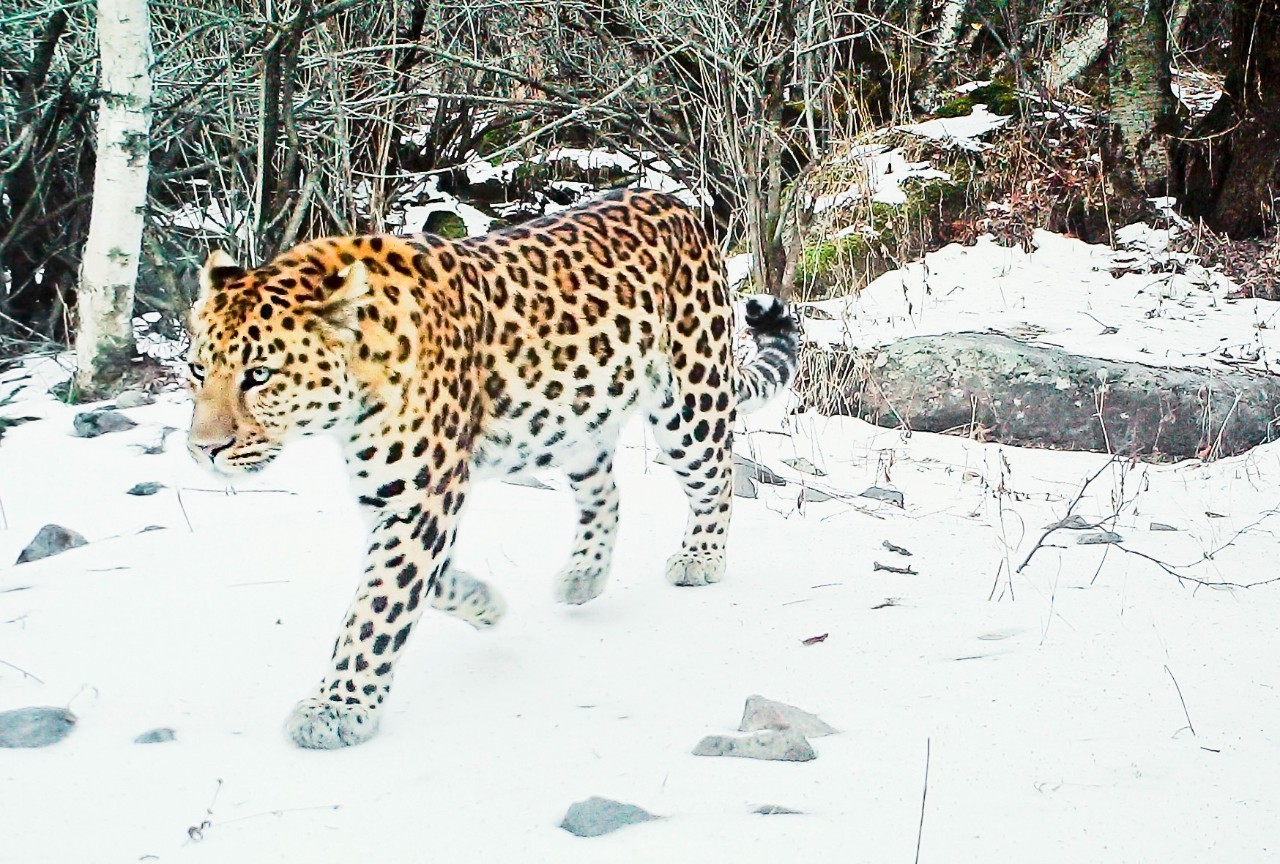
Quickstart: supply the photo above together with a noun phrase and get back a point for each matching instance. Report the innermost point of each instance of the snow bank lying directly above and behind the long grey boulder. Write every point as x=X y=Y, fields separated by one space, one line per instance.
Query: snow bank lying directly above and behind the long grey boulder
x=1064 y=294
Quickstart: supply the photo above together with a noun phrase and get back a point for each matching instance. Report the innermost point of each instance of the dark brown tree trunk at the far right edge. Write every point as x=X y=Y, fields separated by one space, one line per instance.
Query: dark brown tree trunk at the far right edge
x=1231 y=177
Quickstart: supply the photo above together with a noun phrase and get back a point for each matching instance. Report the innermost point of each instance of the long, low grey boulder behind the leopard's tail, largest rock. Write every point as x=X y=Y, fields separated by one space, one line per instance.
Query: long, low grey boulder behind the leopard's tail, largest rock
x=1000 y=390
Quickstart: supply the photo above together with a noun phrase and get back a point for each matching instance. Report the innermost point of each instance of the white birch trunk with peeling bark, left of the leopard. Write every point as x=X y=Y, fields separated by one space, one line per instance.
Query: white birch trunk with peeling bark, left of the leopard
x=104 y=342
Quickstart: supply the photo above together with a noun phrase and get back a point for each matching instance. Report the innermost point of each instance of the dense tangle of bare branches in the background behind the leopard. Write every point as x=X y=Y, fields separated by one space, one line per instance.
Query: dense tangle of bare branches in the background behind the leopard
x=282 y=120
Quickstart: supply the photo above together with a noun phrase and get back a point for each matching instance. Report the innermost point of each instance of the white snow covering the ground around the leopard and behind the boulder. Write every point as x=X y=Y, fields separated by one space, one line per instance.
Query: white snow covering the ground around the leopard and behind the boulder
x=1094 y=706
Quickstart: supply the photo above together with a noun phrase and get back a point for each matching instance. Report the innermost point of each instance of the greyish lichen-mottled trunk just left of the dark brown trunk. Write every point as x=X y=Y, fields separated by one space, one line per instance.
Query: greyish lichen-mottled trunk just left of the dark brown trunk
x=1142 y=97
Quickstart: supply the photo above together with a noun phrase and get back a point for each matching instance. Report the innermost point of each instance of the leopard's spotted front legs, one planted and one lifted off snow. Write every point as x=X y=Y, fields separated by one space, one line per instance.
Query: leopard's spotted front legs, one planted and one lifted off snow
x=408 y=568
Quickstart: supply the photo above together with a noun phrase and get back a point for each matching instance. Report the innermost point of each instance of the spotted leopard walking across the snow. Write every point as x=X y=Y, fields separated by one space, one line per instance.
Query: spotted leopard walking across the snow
x=437 y=363
